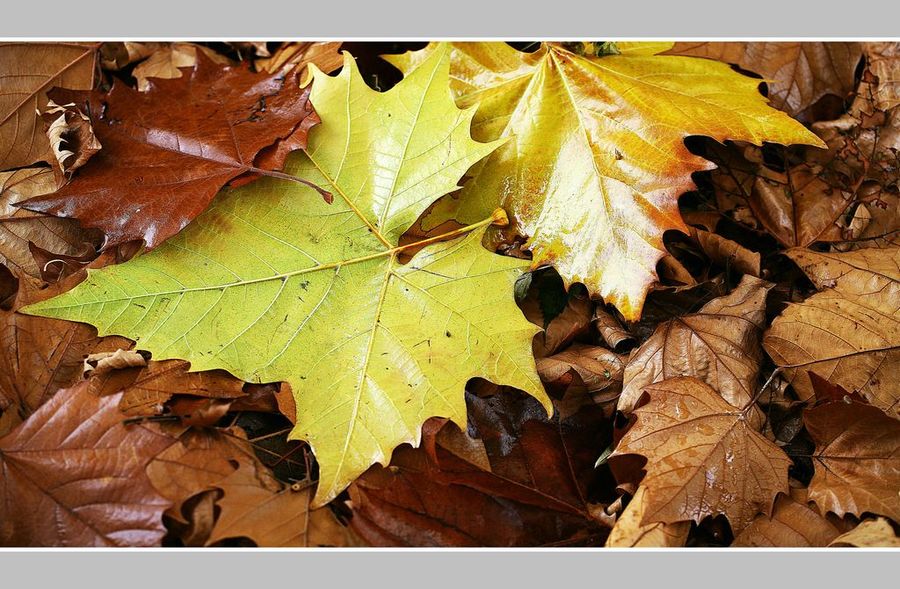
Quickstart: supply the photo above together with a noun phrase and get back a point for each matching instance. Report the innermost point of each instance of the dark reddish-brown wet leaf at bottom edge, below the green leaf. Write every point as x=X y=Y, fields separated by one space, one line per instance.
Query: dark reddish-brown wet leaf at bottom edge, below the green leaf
x=535 y=492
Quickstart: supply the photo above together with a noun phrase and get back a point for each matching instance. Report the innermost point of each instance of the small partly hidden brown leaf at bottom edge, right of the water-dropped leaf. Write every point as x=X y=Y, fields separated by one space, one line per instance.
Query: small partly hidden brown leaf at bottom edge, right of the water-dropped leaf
x=792 y=524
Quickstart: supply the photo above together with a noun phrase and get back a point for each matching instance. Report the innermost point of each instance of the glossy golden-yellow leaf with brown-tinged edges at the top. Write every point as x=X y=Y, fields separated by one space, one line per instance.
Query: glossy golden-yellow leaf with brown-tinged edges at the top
x=596 y=160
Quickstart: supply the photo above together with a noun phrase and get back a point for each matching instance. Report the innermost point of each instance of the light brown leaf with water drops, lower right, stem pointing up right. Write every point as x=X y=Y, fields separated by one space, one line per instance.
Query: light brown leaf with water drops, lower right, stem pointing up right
x=703 y=457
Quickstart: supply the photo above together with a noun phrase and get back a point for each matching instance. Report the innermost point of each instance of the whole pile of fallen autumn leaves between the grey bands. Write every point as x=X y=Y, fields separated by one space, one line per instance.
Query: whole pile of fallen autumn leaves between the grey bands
x=471 y=294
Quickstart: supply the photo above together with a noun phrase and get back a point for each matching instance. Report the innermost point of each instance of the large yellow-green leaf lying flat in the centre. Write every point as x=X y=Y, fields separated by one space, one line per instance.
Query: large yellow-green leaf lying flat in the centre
x=272 y=284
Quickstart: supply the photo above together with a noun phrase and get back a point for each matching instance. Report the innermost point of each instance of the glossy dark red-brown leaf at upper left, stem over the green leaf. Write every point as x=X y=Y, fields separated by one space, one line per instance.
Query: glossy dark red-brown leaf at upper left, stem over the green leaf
x=167 y=152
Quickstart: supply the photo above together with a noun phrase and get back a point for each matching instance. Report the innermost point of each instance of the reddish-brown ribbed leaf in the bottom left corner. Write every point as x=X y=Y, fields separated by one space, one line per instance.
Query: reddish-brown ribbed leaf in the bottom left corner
x=73 y=475
